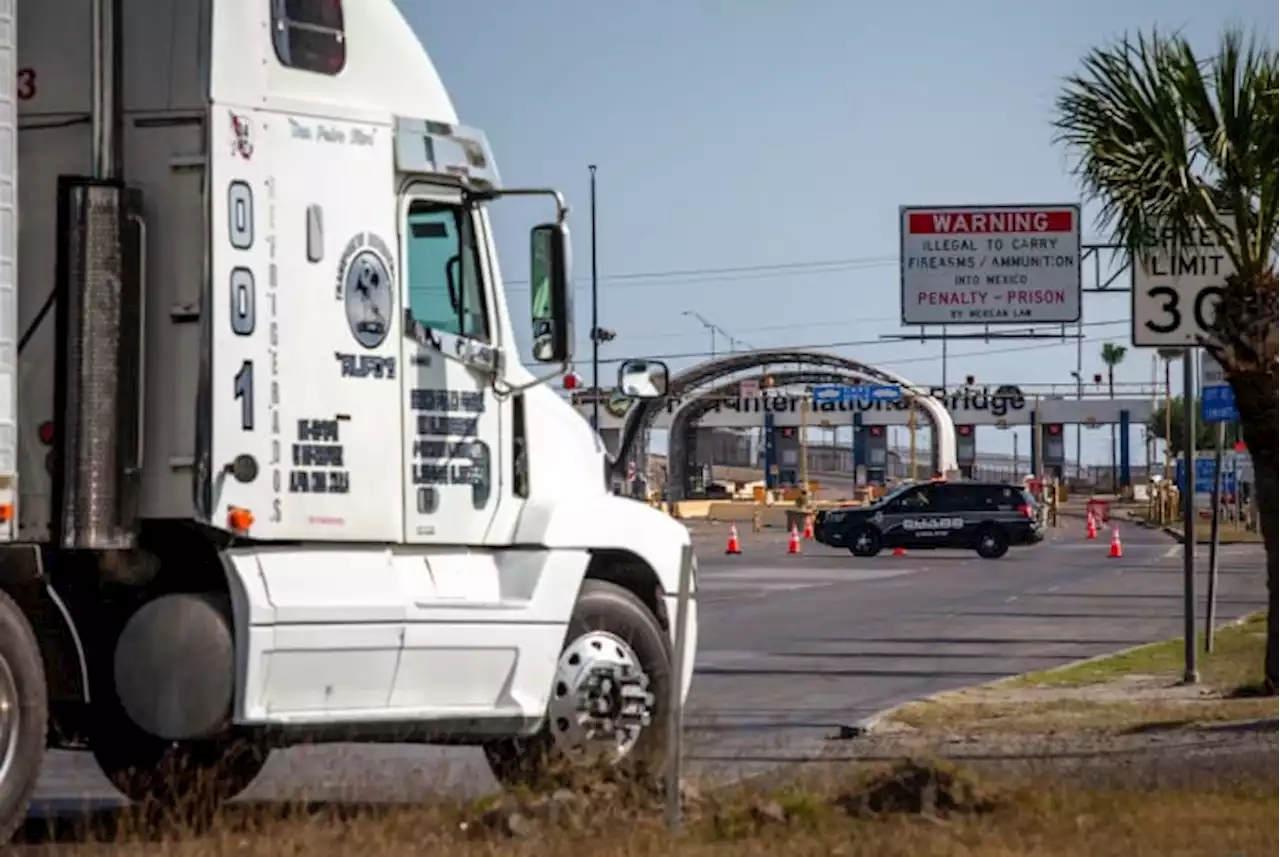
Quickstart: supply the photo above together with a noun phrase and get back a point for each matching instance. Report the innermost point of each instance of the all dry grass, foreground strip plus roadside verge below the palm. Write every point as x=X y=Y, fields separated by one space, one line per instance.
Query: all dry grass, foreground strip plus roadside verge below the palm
x=847 y=808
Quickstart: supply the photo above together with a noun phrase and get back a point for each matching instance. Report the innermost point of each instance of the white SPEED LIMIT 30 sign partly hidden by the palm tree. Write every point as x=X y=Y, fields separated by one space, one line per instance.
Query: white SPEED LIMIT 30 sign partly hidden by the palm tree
x=1176 y=296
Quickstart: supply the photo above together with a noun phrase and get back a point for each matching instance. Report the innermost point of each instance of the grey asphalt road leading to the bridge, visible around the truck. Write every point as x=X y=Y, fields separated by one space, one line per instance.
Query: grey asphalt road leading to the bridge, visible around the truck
x=794 y=648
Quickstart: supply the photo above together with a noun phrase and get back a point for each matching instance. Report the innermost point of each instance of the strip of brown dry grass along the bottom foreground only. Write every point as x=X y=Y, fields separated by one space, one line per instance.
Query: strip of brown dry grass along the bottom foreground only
x=912 y=809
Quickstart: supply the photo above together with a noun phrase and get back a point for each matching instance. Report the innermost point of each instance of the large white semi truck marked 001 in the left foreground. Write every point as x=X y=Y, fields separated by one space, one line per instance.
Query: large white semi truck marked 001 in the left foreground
x=272 y=470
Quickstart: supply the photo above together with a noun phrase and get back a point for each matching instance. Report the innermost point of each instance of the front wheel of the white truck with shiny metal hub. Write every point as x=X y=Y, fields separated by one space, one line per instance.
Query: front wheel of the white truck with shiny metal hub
x=610 y=699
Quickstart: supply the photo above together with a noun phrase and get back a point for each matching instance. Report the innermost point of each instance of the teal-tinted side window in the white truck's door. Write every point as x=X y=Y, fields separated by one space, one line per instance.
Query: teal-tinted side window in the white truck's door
x=444 y=272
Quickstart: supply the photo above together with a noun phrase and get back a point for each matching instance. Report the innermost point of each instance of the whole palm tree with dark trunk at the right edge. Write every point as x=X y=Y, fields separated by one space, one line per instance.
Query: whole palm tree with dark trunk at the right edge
x=1163 y=138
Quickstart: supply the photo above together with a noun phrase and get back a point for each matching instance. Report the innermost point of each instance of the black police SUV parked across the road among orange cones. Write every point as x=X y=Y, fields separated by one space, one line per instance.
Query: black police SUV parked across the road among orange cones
x=988 y=517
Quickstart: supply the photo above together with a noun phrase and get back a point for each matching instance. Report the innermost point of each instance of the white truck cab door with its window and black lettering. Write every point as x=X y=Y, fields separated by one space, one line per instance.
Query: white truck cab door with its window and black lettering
x=452 y=423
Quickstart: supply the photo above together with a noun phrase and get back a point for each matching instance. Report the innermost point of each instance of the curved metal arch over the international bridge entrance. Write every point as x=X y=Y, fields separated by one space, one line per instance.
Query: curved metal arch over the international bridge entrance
x=810 y=368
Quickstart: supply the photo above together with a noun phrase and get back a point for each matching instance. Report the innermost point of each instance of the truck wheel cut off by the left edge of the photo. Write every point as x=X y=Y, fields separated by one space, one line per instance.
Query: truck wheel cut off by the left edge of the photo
x=24 y=716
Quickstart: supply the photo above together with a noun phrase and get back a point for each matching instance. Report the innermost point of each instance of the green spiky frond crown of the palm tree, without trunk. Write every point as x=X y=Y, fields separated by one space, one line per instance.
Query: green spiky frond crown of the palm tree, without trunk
x=1167 y=141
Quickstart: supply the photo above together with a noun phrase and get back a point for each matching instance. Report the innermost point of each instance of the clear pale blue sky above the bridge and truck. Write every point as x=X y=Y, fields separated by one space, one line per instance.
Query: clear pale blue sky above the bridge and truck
x=774 y=136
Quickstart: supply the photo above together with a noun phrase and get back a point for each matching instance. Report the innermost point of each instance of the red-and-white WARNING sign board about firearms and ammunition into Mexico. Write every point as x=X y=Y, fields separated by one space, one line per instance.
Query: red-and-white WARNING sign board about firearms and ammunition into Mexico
x=991 y=265
